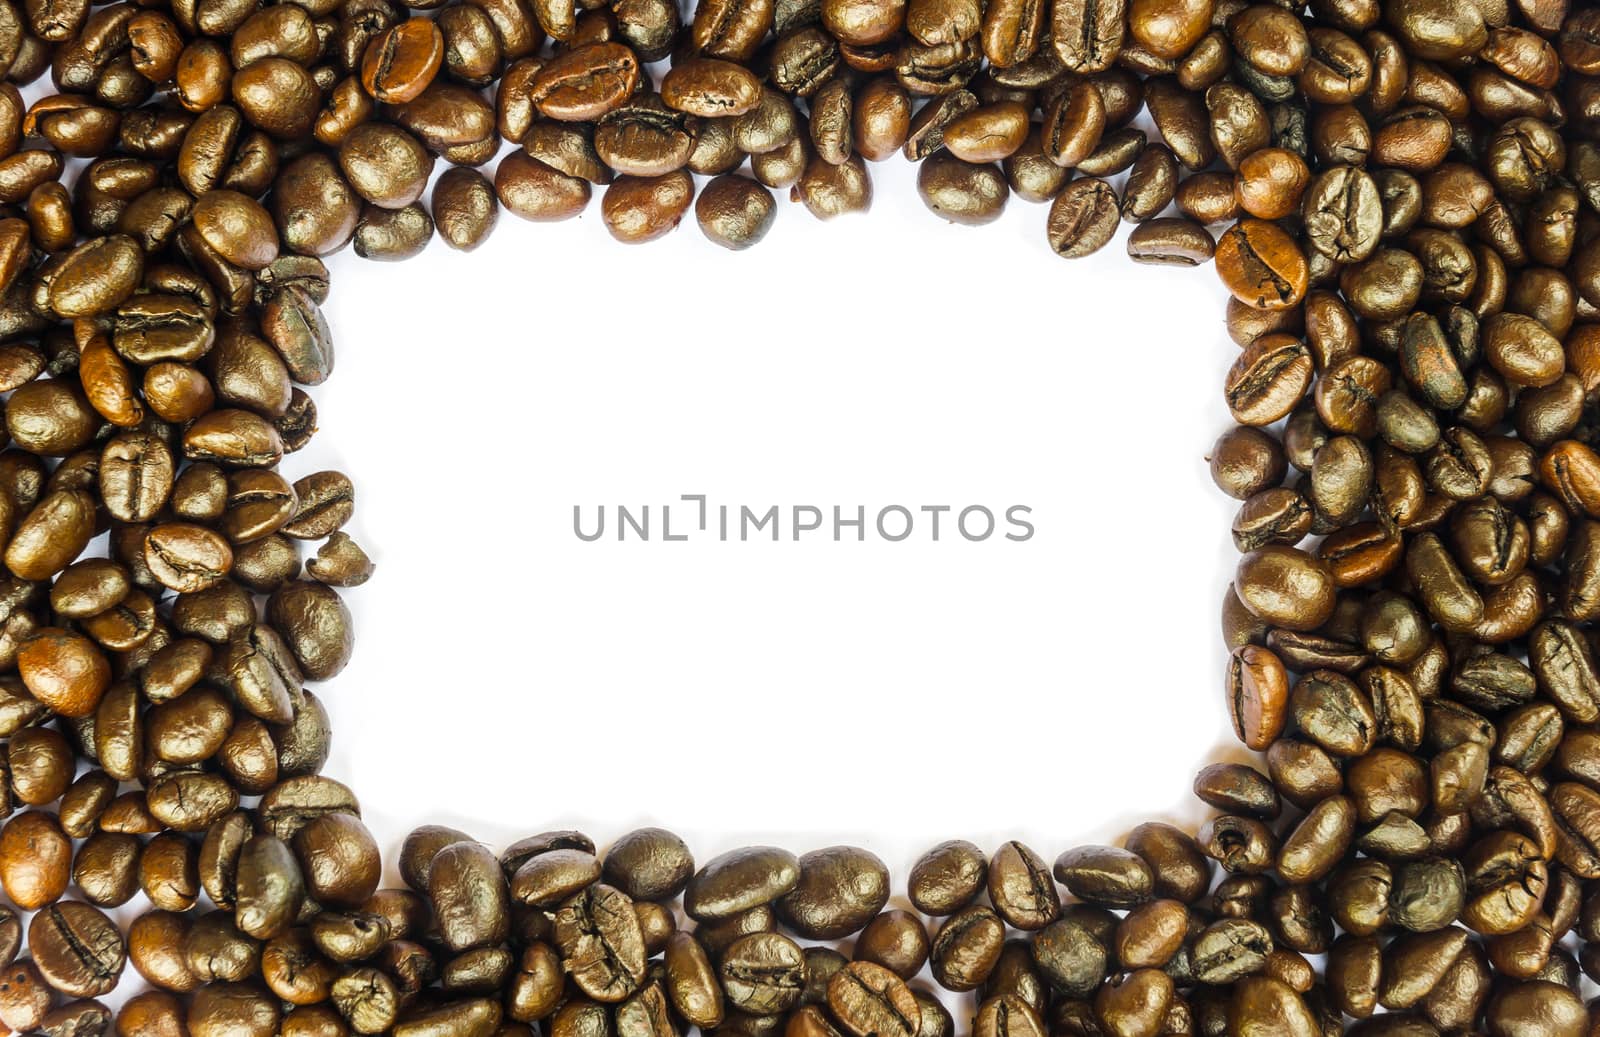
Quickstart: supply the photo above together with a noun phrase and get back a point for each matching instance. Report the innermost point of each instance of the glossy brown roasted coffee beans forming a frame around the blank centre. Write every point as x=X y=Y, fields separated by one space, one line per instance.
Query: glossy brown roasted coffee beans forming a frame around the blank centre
x=1409 y=207
